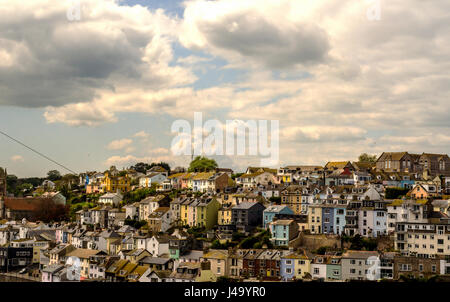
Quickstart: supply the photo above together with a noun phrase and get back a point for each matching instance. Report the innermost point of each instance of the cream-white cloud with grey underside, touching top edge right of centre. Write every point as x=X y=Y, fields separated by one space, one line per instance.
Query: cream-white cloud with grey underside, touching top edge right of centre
x=253 y=31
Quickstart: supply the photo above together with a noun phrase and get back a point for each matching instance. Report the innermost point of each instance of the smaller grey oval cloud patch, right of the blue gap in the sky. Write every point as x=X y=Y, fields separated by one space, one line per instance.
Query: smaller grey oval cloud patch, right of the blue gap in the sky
x=256 y=38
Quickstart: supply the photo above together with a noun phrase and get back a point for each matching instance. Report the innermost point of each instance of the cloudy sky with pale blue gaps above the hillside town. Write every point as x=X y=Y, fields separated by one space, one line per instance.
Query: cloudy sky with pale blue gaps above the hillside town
x=342 y=77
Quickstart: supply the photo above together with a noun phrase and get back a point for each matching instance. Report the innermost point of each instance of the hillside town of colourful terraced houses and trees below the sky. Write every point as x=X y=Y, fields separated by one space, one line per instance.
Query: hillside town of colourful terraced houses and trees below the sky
x=380 y=218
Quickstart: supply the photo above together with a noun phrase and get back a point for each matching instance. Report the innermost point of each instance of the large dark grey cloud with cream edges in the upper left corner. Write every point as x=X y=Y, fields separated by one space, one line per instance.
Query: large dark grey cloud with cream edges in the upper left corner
x=49 y=61
